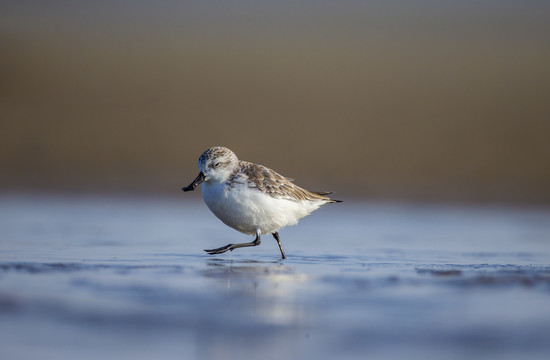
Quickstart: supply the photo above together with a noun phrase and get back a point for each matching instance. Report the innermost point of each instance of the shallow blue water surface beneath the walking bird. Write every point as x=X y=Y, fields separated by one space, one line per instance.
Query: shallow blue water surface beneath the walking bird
x=120 y=277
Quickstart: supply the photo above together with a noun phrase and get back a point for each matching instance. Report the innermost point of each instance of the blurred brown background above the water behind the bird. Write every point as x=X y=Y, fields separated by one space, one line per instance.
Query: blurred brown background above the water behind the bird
x=414 y=100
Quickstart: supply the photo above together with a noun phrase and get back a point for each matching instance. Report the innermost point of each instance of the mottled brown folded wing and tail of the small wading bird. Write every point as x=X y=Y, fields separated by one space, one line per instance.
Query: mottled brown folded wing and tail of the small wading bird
x=276 y=185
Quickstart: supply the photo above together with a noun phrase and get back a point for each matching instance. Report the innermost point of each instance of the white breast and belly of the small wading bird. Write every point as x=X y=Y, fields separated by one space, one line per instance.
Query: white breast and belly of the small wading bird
x=248 y=210
